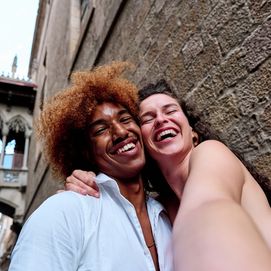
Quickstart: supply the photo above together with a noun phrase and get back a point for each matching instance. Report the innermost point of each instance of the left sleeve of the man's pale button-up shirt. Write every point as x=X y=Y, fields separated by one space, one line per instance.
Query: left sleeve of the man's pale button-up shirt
x=52 y=238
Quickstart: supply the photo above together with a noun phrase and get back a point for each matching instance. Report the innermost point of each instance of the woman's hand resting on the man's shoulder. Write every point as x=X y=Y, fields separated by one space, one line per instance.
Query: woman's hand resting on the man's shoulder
x=82 y=182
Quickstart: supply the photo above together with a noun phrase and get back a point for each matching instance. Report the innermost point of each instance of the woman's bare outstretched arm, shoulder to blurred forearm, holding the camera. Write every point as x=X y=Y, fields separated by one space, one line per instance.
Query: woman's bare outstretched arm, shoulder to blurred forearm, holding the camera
x=212 y=230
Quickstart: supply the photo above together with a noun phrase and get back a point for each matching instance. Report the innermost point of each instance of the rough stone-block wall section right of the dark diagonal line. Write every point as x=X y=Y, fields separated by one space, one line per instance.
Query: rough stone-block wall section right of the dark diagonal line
x=216 y=55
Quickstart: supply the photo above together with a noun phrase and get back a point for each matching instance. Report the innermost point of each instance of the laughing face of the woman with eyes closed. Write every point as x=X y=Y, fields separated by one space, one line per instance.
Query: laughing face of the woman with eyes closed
x=164 y=127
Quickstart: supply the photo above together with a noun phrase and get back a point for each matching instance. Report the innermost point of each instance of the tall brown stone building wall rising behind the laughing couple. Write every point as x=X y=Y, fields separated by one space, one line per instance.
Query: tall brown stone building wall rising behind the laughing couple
x=215 y=54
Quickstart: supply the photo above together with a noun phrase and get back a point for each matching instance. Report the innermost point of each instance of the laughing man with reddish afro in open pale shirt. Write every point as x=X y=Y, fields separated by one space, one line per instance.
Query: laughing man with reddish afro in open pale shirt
x=92 y=125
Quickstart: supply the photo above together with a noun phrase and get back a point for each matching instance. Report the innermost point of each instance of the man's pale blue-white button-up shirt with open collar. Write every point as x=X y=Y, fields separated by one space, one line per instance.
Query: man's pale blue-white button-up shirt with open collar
x=74 y=232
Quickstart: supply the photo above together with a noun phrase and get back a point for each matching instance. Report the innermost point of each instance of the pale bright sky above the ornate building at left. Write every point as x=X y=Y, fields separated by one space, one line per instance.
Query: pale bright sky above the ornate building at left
x=17 y=24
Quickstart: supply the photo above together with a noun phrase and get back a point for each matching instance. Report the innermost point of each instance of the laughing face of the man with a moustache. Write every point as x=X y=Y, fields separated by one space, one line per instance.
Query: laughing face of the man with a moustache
x=115 y=140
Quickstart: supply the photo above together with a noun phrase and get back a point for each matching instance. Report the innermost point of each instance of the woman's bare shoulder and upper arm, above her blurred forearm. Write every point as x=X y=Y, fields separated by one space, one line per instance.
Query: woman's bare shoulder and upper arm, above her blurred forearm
x=215 y=172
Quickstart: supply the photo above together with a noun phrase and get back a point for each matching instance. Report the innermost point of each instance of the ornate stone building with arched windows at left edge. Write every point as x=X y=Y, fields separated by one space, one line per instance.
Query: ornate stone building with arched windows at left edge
x=17 y=99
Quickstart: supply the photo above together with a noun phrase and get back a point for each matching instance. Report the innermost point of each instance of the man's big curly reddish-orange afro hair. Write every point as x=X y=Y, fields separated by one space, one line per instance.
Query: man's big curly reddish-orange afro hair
x=63 y=123
